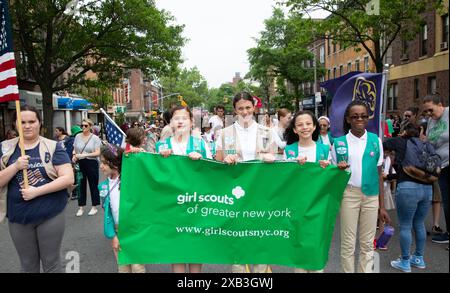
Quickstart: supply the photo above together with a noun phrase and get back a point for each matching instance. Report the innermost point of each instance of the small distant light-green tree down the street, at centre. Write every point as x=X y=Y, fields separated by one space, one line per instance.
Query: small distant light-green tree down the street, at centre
x=189 y=83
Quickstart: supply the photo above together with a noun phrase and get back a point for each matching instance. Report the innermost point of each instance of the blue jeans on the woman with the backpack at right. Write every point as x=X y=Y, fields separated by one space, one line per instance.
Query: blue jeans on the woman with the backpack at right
x=413 y=202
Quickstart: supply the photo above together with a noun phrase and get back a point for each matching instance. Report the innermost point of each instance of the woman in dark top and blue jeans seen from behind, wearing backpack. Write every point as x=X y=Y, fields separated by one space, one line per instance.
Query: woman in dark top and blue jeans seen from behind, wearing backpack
x=413 y=200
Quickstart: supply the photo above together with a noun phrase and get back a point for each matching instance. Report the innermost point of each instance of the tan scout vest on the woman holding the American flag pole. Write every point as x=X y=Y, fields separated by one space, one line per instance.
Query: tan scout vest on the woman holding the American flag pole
x=8 y=148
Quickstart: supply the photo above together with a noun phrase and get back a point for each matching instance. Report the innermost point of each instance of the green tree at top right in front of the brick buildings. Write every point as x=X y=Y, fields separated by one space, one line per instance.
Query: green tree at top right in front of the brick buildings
x=351 y=25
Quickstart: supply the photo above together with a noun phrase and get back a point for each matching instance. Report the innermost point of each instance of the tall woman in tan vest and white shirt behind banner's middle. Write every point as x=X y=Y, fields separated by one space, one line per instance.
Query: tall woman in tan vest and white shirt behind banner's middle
x=245 y=140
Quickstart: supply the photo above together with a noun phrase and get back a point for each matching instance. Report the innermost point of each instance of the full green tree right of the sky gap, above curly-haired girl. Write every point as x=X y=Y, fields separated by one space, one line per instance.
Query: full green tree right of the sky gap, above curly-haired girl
x=282 y=52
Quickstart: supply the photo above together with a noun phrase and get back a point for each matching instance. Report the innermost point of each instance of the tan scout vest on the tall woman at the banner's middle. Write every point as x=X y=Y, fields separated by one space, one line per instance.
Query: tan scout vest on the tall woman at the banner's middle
x=229 y=144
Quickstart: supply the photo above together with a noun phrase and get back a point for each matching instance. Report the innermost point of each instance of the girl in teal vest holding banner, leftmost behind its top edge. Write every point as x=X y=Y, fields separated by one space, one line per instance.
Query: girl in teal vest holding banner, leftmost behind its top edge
x=182 y=143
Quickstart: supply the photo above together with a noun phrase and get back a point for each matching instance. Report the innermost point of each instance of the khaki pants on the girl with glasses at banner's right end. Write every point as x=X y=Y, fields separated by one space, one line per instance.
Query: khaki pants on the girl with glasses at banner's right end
x=358 y=212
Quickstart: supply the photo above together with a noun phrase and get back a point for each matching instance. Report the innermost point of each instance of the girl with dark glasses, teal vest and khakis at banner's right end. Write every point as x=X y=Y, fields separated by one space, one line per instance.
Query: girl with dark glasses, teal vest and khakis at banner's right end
x=360 y=152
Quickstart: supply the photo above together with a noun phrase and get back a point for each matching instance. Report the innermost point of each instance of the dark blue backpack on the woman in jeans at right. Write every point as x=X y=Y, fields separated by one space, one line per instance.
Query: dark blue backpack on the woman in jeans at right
x=421 y=161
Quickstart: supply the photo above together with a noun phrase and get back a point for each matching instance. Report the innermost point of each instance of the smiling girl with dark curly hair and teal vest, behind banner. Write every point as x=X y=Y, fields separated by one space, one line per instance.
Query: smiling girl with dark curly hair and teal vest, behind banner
x=300 y=136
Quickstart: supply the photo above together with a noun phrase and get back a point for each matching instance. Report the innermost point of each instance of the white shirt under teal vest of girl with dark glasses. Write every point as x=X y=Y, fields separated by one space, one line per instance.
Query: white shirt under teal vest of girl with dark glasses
x=356 y=148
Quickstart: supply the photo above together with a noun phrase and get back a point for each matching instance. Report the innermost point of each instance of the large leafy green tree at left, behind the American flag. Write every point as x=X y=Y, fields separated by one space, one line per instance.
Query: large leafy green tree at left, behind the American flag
x=104 y=37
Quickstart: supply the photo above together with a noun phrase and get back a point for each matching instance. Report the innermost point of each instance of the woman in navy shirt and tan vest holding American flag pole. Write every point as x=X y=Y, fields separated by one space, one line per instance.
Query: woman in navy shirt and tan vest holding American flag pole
x=35 y=212
